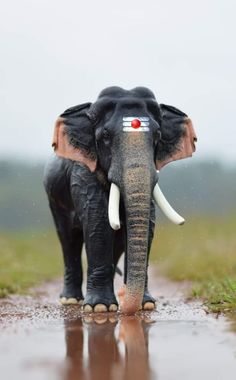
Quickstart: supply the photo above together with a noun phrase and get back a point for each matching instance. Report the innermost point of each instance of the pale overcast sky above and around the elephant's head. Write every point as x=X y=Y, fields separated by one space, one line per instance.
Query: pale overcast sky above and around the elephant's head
x=57 y=53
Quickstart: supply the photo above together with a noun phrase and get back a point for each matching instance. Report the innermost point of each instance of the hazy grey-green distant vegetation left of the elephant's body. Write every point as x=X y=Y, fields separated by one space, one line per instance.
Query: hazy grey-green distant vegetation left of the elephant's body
x=23 y=202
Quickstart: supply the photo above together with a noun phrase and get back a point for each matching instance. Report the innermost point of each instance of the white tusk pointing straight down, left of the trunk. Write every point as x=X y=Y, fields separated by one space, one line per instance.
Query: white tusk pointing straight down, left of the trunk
x=113 y=207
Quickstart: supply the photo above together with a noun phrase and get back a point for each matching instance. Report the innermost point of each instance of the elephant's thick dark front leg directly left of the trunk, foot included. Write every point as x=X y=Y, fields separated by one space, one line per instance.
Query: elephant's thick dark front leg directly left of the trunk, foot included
x=91 y=204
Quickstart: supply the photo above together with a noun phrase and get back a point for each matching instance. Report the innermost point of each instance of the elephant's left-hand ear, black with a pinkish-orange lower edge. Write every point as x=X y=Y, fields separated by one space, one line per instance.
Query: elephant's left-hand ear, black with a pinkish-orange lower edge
x=73 y=136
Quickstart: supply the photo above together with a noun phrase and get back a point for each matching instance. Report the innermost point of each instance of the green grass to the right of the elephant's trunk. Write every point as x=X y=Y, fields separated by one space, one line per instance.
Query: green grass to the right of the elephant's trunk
x=204 y=252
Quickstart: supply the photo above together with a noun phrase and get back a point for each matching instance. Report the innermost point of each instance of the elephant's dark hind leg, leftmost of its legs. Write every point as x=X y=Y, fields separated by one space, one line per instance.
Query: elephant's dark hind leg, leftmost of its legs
x=71 y=240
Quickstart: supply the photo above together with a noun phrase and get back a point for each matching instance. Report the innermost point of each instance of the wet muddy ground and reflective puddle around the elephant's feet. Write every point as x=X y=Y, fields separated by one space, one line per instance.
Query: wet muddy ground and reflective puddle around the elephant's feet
x=41 y=340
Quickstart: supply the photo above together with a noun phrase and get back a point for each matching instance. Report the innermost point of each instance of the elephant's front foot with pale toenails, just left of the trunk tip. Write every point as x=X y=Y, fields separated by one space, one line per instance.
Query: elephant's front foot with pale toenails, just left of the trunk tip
x=100 y=301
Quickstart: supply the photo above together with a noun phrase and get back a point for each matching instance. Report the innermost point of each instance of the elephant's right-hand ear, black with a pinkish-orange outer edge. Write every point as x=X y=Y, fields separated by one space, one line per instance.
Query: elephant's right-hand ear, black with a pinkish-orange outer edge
x=177 y=136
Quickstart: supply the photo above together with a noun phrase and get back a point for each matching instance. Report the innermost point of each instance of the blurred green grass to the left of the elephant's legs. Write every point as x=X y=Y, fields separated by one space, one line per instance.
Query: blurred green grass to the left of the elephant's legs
x=27 y=259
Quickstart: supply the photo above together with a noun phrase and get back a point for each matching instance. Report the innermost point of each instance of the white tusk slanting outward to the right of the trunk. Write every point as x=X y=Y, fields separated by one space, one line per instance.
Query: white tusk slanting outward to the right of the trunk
x=166 y=208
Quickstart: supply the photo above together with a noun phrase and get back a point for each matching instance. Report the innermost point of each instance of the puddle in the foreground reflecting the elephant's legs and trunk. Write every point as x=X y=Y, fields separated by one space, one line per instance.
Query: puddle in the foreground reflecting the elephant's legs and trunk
x=143 y=347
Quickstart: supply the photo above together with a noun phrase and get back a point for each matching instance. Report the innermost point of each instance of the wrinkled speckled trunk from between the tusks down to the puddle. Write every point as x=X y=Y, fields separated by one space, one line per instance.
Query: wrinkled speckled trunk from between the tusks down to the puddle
x=137 y=199
